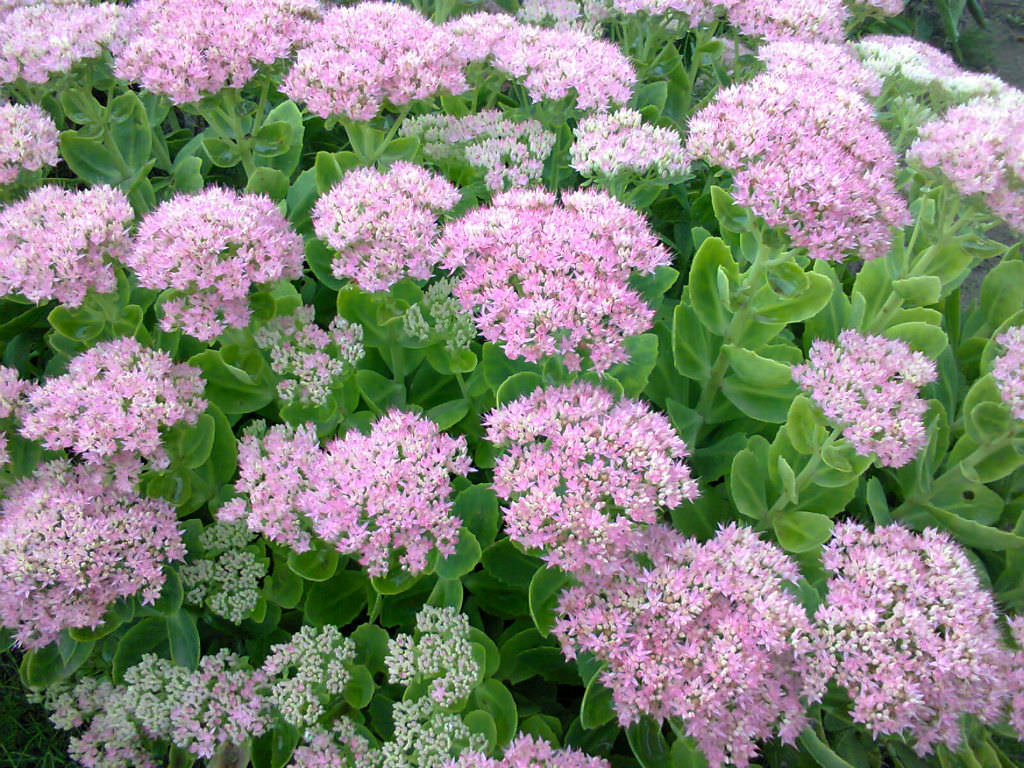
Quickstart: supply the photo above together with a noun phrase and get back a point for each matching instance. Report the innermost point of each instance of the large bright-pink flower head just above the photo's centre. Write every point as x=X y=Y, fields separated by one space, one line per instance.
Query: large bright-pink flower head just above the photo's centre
x=548 y=279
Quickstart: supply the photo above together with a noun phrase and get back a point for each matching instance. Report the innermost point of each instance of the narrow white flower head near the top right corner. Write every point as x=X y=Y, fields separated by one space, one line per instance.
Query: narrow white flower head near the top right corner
x=919 y=65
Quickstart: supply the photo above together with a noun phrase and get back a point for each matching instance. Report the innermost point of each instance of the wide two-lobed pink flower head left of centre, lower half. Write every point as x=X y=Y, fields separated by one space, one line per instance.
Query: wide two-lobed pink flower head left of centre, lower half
x=385 y=497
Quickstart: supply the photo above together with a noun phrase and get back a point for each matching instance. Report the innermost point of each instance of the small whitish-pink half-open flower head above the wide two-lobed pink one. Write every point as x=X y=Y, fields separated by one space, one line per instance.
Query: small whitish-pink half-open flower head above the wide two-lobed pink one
x=310 y=361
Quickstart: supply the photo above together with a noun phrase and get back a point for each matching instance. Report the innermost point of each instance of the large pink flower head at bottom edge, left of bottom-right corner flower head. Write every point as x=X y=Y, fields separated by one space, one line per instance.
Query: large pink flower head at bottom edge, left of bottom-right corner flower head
x=706 y=633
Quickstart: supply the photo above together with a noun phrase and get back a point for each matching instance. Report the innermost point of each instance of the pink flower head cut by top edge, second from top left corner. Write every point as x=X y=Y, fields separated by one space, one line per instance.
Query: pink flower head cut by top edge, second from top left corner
x=190 y=49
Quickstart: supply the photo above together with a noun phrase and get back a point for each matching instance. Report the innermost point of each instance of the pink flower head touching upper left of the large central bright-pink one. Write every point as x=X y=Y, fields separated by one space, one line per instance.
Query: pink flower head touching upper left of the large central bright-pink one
x=385 y=226
